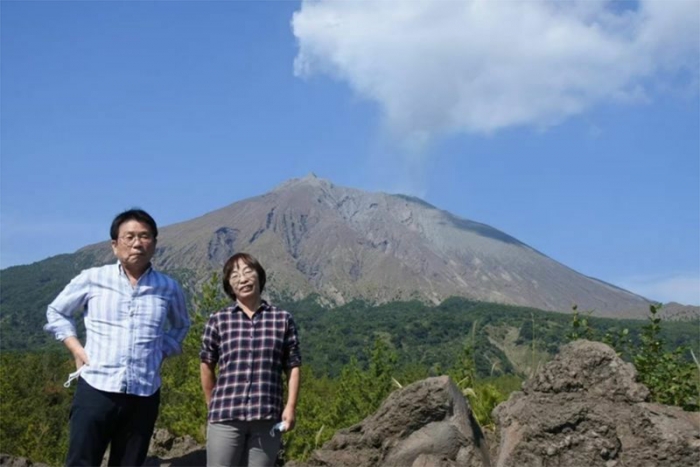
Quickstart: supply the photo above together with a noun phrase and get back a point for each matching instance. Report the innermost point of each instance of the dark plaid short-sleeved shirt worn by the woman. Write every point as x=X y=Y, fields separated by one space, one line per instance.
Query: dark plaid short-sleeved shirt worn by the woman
x=251 y=355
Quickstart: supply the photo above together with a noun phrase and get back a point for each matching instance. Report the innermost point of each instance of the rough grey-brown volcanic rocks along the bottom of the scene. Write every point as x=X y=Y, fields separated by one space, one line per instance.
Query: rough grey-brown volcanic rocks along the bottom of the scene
x=583 y=408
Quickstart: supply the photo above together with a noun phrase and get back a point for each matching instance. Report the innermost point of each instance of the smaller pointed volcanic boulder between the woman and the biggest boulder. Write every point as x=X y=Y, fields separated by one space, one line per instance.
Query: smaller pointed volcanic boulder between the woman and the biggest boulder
x=428 y=423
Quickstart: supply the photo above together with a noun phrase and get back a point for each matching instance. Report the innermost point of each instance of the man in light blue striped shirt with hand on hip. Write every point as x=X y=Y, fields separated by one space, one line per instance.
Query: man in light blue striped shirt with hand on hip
x=134 y=318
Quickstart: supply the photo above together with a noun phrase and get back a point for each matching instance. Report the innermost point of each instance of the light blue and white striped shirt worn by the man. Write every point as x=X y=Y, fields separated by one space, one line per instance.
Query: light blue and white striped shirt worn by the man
x=130 y=329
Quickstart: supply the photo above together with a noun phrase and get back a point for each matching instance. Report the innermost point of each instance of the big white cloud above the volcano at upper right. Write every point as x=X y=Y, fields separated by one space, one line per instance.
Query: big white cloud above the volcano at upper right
x=477 y=66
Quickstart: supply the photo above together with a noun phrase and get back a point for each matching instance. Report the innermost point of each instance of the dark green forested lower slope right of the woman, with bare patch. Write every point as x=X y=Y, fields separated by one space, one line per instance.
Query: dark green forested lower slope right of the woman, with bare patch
x=432 y=336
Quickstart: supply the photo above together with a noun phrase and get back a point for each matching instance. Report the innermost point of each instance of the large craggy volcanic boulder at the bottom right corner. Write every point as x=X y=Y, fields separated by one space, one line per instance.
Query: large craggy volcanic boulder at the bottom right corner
x=585 y=408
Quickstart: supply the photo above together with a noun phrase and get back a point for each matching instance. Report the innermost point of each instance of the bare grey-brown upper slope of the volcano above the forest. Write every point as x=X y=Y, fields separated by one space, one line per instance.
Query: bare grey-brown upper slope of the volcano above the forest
x=343 y=243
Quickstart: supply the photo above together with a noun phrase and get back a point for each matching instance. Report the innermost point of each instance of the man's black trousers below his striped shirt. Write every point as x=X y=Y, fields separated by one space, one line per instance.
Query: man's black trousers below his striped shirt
x=98 y=418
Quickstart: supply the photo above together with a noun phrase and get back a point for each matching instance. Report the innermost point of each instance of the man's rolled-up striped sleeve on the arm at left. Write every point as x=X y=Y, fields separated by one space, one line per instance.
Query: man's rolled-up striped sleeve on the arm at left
x=59 y=314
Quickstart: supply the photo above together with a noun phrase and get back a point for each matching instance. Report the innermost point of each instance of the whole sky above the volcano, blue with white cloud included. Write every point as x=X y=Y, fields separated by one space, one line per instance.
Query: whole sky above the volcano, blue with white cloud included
x=573 y=126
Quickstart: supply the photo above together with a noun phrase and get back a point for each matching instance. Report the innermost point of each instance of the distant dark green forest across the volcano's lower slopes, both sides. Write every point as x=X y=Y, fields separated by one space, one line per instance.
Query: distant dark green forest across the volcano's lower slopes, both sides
x=427 y=331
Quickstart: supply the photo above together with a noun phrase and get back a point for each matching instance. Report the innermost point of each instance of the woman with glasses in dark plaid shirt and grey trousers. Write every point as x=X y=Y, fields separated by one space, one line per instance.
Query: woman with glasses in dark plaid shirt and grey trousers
x=252 y=343
